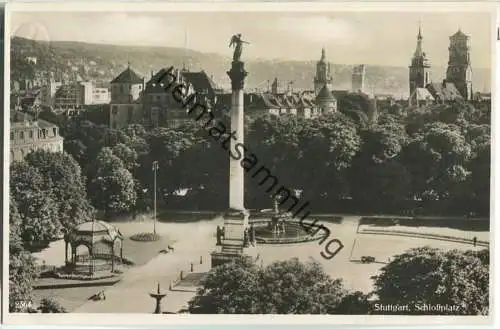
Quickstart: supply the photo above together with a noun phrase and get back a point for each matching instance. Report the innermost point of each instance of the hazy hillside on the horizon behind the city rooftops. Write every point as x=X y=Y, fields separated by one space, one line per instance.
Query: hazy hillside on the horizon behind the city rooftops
x=108 y=61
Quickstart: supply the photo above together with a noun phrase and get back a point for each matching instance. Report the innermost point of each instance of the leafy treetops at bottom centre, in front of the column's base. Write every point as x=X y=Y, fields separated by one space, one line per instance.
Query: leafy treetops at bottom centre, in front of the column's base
x=285 y=287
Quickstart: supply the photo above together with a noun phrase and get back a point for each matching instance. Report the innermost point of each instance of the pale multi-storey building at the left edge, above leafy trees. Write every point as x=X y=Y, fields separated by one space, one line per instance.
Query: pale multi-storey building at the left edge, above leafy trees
x=28 y=134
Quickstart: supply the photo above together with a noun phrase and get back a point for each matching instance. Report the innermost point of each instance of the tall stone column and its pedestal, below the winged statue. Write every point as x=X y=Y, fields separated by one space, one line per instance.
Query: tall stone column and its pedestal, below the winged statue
x=236 y=218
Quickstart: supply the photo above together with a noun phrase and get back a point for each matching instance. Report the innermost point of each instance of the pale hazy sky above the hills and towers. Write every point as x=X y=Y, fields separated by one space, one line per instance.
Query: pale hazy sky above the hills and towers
x=376 y=38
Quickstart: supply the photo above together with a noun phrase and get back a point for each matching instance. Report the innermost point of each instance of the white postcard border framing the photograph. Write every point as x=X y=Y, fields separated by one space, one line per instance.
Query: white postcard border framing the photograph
x=182 y=319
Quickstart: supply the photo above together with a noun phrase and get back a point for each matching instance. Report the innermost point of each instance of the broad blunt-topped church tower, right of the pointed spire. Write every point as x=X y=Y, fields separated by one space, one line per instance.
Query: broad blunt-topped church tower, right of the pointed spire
x=459 y=70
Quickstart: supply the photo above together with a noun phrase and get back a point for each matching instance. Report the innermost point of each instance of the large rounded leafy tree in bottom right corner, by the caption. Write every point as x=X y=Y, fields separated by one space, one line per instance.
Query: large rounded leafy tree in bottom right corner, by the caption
x=430 y=276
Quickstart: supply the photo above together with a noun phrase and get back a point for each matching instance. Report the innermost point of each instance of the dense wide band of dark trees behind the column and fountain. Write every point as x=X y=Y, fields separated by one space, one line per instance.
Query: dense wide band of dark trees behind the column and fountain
x=430 y=159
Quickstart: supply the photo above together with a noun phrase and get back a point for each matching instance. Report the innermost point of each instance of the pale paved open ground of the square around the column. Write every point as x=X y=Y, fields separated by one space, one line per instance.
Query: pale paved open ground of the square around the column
x=197 y=239
